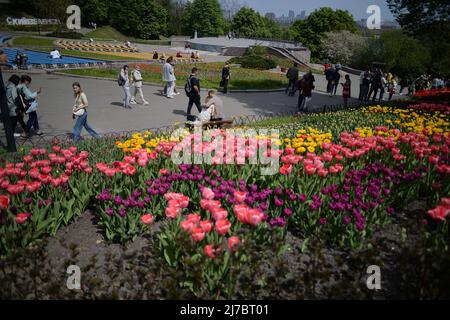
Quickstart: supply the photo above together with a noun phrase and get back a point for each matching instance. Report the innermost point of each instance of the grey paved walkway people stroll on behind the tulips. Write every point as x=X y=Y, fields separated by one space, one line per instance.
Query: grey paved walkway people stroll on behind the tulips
x=106 y=113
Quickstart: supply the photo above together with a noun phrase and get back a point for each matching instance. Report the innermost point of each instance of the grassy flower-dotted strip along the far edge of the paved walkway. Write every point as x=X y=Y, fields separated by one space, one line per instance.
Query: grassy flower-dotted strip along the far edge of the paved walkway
x=209 y=73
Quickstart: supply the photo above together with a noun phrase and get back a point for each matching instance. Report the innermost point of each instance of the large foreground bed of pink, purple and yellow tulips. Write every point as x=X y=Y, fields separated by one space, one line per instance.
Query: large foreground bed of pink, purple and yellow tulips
x=341 y=177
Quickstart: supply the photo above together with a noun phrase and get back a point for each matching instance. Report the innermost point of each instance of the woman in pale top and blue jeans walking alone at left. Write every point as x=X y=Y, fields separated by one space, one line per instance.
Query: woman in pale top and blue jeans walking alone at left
x=80 y=113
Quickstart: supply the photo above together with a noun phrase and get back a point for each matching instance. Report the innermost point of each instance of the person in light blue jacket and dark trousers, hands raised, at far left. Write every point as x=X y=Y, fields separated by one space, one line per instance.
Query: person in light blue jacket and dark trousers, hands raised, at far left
x=30 y=104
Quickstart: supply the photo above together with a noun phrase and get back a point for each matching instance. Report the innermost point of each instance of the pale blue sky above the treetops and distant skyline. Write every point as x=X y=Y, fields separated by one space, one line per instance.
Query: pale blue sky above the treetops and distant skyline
x=356 y=7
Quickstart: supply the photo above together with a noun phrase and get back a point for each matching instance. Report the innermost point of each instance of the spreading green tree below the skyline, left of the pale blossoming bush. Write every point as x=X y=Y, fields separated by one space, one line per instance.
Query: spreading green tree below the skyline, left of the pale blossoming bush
x=311 y=30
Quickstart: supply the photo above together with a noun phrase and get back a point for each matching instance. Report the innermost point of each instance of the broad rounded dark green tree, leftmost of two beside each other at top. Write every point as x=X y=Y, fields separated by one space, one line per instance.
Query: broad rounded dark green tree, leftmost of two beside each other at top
x=145 y=19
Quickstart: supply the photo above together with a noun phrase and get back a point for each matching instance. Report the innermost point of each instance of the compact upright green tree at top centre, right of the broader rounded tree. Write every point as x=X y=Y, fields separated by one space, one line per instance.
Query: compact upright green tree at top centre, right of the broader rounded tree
x=203 y=16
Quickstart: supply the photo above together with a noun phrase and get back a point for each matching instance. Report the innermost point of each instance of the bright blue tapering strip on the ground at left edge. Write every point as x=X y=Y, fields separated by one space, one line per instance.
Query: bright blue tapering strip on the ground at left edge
x=42 y=59
